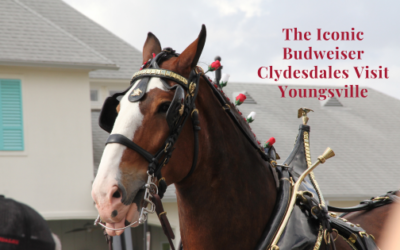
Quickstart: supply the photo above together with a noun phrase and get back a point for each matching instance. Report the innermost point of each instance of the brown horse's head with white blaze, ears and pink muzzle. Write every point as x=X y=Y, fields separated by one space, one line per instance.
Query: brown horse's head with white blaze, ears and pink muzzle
x=117 y=189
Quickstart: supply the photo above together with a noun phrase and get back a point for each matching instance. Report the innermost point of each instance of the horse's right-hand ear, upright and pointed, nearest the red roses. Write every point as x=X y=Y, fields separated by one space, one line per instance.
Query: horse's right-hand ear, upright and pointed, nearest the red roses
x=190 y=56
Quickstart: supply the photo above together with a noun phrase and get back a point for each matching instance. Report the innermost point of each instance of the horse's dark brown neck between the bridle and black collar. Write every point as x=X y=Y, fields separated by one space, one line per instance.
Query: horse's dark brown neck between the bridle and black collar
x=231 y=194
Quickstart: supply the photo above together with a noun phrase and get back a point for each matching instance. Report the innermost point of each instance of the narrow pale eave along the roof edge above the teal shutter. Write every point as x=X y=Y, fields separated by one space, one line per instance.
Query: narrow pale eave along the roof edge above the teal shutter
x=69 y=65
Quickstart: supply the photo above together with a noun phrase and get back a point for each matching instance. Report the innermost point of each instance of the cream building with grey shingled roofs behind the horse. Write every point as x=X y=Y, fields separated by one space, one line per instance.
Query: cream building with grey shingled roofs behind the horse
x=52 y=58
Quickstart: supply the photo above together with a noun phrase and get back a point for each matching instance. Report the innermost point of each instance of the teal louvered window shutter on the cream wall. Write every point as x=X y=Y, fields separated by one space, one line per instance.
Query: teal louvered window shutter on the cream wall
x=11 y=126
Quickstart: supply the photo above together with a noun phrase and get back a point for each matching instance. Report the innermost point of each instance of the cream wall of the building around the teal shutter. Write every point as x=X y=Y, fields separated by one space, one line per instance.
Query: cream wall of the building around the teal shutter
x=54 y=172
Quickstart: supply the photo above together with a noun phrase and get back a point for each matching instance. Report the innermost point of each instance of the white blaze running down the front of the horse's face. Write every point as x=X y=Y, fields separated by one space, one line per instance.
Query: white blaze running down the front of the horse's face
x=129 y=119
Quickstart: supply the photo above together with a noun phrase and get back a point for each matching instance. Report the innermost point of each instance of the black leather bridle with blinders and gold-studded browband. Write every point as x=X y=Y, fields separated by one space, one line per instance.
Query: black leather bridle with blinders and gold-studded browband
x=181 y=108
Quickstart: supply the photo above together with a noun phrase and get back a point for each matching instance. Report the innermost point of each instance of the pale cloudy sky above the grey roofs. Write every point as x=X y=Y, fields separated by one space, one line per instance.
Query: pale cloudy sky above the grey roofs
x=248 y=34
